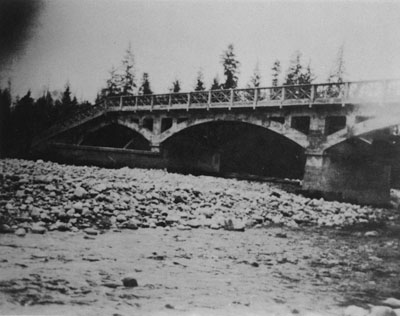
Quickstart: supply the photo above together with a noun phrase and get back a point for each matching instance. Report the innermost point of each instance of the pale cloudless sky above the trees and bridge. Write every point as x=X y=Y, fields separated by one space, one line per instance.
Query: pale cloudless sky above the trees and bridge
x=80 y=40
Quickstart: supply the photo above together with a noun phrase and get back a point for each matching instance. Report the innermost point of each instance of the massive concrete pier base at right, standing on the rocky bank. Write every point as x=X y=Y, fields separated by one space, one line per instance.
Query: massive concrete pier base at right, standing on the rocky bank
x=333 y=178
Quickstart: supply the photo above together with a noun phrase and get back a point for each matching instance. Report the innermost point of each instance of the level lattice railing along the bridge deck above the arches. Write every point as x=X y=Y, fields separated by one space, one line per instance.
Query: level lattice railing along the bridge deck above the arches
x=343 y=92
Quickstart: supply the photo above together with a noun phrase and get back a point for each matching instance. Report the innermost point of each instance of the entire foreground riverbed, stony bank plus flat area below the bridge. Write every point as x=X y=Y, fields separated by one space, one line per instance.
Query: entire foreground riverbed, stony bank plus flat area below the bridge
x=87 y=240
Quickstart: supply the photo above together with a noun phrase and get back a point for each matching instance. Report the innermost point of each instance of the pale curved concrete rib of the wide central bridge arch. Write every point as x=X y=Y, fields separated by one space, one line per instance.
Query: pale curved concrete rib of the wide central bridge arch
x=281 y=129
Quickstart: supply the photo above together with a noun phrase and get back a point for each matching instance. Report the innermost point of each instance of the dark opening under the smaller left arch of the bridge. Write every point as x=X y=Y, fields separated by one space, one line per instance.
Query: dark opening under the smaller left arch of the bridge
x=116 y=136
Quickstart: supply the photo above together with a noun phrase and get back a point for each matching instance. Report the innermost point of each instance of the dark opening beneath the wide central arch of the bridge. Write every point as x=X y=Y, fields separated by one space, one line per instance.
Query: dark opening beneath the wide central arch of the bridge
x=243 y=148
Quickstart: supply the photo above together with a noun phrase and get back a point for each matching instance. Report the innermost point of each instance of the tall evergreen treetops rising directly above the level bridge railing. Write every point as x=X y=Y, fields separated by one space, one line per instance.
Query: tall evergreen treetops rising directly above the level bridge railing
x=122 y=80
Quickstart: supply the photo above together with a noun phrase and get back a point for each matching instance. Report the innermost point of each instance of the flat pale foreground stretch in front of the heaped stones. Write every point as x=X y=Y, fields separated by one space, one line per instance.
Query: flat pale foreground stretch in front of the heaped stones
x=267 y=271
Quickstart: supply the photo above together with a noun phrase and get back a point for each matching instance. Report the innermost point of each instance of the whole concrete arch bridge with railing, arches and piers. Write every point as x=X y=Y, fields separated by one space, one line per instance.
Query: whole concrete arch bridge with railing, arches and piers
x=342 y=135
